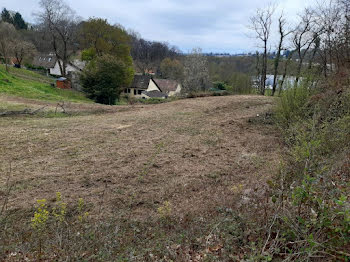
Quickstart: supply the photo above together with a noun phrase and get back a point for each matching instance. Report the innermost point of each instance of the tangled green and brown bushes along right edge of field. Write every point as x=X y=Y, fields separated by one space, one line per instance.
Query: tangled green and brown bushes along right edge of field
x=313 y=186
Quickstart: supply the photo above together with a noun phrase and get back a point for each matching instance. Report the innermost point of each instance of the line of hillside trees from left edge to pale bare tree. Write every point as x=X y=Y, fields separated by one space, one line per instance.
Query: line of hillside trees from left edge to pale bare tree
x=102 y=46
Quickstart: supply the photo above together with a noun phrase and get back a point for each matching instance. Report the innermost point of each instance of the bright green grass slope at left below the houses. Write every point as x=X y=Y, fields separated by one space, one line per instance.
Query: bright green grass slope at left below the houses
x=28 y=84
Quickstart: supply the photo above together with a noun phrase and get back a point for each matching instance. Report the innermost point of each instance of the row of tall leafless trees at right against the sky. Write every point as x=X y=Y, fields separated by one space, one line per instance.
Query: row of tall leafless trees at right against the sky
x=316 y=42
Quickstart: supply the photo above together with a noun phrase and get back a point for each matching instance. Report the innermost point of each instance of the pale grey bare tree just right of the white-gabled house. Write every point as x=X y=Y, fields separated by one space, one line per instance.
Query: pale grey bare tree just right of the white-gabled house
x=196 y=72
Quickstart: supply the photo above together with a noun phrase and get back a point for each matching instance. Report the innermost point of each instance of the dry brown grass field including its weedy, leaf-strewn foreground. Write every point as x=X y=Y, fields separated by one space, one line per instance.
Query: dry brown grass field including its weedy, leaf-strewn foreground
x=164 y=181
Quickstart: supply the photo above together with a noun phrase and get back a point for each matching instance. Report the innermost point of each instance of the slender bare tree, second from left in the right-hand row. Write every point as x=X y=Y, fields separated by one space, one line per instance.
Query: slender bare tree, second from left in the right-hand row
x=283 y=33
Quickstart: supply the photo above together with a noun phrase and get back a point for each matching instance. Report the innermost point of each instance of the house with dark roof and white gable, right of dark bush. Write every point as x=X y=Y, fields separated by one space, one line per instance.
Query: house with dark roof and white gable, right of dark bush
x=144 y=86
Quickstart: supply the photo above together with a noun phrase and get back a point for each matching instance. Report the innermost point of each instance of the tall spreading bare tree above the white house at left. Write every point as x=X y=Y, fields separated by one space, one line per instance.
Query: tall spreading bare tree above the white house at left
x=59 y=22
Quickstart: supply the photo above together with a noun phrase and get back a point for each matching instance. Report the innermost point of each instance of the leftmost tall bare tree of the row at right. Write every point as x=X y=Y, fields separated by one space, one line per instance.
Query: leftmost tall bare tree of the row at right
x=261 y=25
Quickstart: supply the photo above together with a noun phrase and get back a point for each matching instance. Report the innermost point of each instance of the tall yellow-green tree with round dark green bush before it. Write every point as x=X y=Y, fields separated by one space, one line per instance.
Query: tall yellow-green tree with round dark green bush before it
x=110 y=66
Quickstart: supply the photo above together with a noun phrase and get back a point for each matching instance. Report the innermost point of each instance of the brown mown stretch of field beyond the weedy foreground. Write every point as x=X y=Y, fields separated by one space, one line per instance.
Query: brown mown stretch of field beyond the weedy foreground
x=194 y=153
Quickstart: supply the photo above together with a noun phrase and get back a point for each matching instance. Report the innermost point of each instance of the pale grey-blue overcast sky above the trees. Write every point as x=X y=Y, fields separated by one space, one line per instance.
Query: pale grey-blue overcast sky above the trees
x=215 y=26
